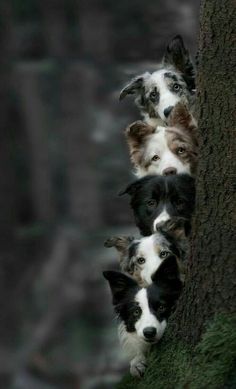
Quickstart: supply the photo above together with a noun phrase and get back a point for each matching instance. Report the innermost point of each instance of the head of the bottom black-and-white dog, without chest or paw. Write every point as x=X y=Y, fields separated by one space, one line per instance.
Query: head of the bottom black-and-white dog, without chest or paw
x=144 y=311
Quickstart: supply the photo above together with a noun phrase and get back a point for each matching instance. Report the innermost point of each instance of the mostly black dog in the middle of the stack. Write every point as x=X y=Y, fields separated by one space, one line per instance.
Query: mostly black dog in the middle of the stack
x=156 y=199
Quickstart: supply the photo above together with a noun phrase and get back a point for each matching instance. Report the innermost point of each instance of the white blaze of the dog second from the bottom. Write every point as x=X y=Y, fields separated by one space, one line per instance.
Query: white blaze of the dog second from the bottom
x=147 y=250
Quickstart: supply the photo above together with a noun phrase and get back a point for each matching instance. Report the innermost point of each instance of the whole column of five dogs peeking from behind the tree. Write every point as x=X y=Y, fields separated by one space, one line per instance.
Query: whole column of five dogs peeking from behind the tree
x=163 y=150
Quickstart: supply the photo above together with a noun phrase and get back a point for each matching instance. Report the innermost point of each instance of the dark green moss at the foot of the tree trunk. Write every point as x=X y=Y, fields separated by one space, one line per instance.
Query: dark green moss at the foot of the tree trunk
x=170 y=365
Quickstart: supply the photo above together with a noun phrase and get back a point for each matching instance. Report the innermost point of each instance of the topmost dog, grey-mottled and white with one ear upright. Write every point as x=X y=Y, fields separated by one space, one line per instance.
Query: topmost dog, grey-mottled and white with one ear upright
x=174 y=81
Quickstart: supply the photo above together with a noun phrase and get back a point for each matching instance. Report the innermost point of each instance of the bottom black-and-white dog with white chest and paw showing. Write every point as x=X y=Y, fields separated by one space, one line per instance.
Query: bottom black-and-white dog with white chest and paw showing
x=143 y=312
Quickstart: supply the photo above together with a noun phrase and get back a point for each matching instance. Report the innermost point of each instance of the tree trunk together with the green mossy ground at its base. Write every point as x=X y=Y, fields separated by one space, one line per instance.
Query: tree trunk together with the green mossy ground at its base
x=199 y=347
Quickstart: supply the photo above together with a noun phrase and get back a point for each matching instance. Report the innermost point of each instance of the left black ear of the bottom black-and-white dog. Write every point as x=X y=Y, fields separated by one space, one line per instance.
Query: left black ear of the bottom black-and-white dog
x=119 y=283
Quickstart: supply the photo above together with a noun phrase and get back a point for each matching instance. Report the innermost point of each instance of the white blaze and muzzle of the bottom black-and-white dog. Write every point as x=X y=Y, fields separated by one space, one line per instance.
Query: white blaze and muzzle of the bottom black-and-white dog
x=147 y=319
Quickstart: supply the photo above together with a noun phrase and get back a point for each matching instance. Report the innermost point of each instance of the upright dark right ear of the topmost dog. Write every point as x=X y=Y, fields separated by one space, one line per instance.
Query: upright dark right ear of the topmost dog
x=177 y=55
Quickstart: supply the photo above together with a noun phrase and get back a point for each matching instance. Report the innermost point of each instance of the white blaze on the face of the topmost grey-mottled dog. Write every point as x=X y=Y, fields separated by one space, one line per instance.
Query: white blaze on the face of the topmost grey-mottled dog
x=167 y=98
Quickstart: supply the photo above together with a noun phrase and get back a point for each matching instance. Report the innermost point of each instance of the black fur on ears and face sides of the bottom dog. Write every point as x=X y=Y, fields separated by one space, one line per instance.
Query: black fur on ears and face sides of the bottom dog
x=162 y=294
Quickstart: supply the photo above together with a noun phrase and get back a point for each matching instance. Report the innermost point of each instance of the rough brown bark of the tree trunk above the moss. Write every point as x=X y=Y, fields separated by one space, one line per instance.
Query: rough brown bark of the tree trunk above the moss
x=211 y=279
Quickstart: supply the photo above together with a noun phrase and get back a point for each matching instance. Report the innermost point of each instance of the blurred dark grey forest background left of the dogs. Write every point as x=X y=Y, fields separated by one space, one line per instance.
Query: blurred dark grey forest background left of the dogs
x=63 y=160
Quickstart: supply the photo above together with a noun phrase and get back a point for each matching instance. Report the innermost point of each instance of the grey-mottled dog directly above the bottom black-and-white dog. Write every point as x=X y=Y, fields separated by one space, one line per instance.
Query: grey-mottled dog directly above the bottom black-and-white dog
x=140 y=258
